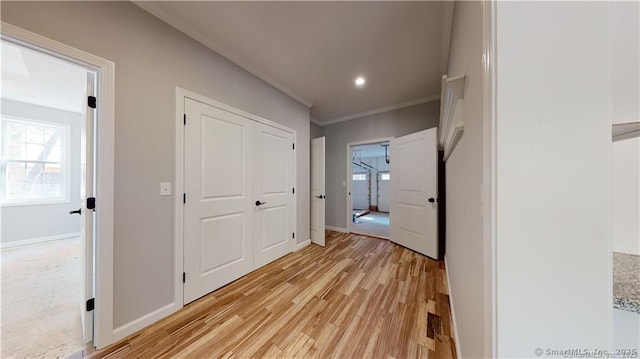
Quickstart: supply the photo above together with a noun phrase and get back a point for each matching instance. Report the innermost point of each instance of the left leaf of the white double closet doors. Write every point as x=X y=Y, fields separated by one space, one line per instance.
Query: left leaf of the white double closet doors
x=218 y=213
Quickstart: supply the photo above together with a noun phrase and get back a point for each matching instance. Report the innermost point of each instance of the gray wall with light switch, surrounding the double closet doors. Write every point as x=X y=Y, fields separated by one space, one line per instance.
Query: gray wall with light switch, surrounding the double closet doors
x=152 y=58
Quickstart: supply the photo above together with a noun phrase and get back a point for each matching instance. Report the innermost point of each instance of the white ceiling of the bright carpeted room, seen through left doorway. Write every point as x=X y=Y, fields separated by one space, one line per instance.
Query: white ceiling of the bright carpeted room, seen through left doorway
x=32 y=77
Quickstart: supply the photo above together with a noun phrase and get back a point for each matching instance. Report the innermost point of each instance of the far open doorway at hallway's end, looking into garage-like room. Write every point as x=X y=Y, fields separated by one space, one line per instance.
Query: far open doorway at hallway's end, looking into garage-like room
x=370 y=189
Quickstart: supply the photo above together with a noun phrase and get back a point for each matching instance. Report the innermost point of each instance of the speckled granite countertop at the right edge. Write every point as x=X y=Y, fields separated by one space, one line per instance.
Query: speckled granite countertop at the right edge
x=626 y=282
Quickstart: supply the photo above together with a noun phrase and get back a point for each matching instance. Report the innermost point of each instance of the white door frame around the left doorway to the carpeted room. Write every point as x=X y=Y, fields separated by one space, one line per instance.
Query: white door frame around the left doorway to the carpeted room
x=104 y=146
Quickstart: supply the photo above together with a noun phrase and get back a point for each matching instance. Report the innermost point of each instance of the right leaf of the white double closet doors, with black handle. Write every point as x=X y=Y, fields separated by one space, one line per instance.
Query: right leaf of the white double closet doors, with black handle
x=273 y=194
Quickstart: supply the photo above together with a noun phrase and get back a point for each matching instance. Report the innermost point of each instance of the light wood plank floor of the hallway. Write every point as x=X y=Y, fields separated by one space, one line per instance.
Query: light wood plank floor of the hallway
x=359 y=297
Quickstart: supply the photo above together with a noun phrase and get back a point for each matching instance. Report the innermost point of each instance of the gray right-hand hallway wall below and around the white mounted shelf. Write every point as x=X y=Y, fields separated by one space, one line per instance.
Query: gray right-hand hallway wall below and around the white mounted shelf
x=464 y=241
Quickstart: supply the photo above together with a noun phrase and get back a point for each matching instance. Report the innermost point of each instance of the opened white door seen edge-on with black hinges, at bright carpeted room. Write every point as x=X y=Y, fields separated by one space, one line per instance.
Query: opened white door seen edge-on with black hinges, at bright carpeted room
x=87 y=209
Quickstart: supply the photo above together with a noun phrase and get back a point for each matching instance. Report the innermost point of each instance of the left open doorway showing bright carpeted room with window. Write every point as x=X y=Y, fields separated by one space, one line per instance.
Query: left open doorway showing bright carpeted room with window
x=46 y=145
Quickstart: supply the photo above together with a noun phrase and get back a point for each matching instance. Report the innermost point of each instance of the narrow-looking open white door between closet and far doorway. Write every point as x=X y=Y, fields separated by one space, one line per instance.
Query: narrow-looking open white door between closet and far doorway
x=317 y=191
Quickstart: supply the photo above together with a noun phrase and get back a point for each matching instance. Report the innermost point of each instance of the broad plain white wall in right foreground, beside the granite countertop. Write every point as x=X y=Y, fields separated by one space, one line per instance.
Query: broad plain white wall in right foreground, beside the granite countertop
x=554 y=278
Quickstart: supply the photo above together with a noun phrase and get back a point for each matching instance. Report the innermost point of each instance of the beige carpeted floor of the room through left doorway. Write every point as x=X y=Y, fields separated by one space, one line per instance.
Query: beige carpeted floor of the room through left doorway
x=41 y=296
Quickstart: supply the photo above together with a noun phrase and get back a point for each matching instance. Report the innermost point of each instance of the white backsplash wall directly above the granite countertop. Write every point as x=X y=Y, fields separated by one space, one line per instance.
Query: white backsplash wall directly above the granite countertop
x=625 y=195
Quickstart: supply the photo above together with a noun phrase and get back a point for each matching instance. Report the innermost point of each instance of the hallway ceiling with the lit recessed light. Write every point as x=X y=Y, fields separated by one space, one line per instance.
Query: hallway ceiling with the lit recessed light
x=313 y=51
